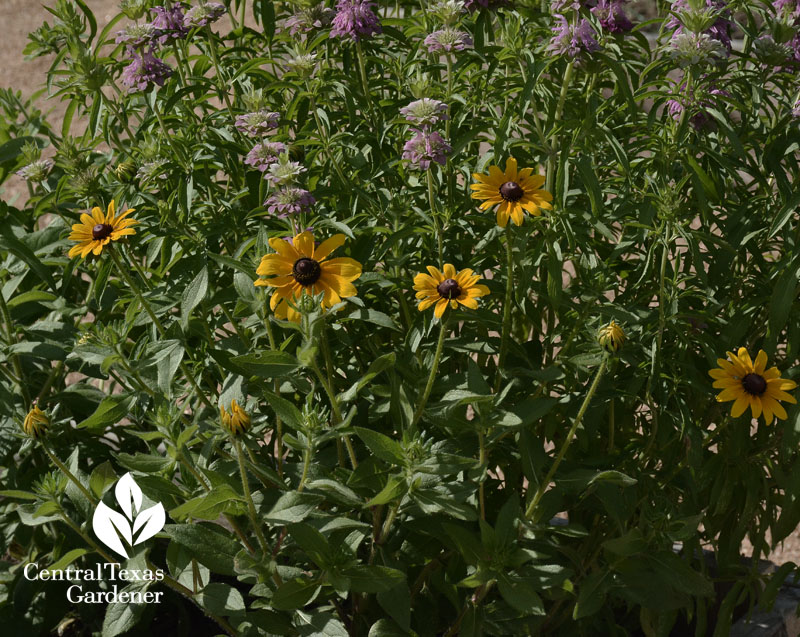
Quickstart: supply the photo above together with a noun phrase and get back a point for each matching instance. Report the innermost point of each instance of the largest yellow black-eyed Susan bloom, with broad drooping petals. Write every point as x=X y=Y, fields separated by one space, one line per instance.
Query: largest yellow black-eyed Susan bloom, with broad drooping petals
x=301 y=267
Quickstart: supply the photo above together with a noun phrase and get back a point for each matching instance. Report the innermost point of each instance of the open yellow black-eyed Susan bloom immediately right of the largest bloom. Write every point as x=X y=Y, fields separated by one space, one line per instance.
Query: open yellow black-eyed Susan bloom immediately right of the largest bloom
x=448 y=287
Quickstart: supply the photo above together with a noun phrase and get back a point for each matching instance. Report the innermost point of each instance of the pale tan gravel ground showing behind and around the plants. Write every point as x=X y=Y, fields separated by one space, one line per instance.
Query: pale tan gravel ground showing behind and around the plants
x=23 y=16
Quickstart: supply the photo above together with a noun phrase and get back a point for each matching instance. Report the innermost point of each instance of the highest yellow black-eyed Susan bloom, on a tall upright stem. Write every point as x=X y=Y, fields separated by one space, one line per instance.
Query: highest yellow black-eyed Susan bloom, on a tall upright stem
x=512 y=191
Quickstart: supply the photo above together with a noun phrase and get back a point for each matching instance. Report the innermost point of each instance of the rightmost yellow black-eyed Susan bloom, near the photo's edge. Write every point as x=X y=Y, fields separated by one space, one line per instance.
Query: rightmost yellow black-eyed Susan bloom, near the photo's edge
x=752 y=385
